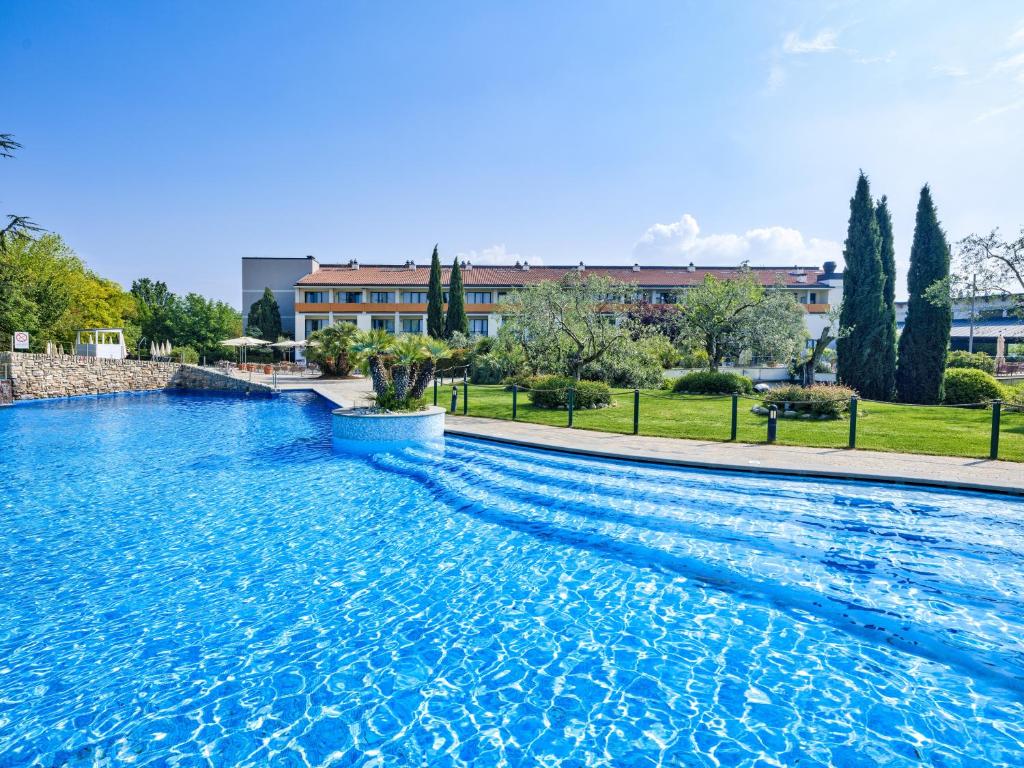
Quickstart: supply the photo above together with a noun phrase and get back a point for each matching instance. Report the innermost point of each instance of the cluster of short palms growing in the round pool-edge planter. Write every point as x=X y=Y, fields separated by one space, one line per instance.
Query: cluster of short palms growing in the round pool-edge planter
x=400 y=368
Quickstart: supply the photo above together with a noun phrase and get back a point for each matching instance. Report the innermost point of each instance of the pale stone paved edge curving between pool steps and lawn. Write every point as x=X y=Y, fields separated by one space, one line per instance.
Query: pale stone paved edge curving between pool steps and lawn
x=930 y=472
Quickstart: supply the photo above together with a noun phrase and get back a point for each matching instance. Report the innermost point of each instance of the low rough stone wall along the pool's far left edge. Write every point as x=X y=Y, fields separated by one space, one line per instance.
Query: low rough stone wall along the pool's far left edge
x=35 y=376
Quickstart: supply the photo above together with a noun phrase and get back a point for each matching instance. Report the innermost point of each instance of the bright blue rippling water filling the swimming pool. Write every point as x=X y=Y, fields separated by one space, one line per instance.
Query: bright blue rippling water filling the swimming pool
x=195 y=580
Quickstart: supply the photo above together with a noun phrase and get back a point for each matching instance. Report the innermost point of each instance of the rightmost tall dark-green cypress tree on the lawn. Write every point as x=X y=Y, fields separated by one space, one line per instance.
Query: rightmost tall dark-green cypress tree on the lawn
x=926 y=335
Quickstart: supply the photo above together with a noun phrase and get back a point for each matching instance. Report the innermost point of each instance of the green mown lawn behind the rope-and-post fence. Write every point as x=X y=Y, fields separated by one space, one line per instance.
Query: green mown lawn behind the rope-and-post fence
x=937 y=431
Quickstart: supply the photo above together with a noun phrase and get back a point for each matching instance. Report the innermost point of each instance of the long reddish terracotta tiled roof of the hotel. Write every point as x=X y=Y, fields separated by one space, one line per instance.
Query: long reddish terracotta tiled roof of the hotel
x=514 y=277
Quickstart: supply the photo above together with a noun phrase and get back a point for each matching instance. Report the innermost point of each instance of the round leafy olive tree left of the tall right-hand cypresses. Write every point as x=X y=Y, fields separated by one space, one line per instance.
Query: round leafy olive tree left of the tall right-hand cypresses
x=731 y=317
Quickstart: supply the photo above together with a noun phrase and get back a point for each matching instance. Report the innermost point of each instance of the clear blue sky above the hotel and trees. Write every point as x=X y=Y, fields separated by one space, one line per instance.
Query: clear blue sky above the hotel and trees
x=168 y=140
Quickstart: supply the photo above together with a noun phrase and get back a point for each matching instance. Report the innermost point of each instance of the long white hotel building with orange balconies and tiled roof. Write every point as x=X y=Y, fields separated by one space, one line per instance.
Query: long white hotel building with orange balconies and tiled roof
x=394 y=297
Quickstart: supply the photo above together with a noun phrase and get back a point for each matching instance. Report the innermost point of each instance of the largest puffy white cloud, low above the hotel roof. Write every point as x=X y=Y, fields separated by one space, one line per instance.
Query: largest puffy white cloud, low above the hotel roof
x=681 y=243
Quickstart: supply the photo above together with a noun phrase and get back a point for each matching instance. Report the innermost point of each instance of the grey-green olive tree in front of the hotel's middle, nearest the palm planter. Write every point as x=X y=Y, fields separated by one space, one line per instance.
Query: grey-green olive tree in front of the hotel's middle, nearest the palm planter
x=568 y=325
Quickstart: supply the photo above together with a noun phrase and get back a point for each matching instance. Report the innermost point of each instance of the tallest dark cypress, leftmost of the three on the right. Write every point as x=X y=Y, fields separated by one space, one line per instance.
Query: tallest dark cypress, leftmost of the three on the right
x=862 y=317
